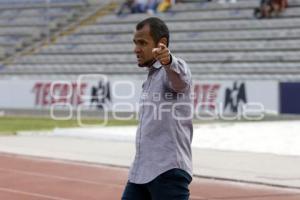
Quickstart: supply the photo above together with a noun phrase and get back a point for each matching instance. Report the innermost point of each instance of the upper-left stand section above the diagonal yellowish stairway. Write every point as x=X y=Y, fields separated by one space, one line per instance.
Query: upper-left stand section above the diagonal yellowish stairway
x=23 y=22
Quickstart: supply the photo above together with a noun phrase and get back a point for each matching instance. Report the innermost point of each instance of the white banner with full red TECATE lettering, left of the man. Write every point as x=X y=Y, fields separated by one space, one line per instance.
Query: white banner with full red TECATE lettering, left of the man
x=89 y=92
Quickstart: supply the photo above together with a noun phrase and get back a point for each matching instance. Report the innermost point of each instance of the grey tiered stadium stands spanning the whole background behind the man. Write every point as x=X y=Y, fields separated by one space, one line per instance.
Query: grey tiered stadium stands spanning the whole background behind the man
x=218 y=40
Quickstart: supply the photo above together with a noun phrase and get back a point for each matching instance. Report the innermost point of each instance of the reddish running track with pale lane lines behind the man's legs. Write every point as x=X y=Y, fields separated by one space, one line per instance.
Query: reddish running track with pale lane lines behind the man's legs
x=31 y=178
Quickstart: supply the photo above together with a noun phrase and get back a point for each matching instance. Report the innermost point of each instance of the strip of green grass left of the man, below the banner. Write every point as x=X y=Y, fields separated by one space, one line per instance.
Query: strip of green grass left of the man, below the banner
x=10 y=125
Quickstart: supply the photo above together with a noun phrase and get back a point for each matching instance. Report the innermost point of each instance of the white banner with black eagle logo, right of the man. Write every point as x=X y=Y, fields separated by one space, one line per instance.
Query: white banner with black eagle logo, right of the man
x=225 y=97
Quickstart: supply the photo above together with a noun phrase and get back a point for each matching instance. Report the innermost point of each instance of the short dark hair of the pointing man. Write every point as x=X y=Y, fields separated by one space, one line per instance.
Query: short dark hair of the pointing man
x=158 y=28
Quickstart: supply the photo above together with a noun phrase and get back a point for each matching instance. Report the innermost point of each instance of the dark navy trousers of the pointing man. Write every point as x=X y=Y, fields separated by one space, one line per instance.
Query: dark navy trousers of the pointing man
x=171 y=185
